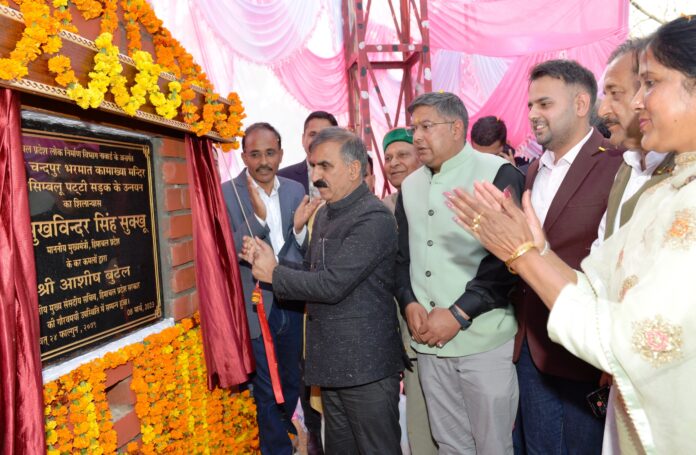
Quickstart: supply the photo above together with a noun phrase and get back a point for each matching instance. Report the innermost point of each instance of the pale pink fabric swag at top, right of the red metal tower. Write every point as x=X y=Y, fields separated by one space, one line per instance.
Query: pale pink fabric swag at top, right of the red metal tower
x=512 y=27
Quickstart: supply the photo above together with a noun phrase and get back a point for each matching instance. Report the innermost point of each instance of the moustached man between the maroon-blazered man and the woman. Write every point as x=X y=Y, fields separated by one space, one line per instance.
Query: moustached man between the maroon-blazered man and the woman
x=640 y=170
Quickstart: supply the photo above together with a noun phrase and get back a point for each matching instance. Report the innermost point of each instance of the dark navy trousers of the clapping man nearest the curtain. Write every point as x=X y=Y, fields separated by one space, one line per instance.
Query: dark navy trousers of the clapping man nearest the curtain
x=275 y=420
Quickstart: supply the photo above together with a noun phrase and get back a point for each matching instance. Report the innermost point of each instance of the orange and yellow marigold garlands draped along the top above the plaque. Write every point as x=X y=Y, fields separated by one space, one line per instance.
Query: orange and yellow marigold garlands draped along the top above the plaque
x=41 y=35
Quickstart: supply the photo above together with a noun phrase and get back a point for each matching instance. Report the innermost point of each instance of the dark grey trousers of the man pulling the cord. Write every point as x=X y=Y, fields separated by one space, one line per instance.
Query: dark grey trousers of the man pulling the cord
x=363 y=420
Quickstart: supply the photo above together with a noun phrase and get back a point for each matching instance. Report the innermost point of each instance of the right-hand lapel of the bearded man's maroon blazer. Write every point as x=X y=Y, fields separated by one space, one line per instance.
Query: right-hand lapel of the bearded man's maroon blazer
x=582 y=165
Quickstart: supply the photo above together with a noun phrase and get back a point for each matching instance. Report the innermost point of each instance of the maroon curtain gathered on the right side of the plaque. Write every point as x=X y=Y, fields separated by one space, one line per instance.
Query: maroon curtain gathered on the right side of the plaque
x=226 y=342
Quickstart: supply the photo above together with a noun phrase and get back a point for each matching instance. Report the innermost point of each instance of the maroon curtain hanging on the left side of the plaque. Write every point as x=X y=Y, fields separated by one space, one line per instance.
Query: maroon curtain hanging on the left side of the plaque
x=21 y=387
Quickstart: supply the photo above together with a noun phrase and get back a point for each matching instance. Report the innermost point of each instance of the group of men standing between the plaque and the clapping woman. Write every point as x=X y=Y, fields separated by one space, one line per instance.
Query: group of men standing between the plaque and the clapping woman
x=481 y=375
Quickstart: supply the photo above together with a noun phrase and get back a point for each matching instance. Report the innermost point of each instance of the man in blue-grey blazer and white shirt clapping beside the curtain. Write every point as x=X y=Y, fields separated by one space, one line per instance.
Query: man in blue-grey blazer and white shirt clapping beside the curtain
x=275 y=210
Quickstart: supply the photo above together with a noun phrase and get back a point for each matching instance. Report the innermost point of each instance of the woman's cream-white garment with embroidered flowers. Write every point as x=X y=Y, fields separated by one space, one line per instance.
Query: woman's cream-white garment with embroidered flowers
x=633 y=314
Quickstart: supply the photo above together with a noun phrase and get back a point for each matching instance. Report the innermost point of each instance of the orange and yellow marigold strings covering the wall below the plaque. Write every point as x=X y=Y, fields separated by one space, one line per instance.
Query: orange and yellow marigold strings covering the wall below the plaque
x=177 y=412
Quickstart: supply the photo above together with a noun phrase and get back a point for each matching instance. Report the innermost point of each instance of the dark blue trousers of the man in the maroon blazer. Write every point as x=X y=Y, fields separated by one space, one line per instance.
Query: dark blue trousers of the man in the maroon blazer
x=554 y=416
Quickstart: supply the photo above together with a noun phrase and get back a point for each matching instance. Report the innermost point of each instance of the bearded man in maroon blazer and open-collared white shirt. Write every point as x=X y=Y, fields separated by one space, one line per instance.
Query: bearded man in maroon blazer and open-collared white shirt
x=570 y=185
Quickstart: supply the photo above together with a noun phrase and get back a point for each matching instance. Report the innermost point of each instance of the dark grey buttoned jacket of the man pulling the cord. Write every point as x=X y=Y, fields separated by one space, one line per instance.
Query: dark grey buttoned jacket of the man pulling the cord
x=347 y=279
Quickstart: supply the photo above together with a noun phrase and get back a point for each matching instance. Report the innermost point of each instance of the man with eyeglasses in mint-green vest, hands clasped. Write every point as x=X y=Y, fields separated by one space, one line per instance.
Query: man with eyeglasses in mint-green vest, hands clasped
x=454 y=294
